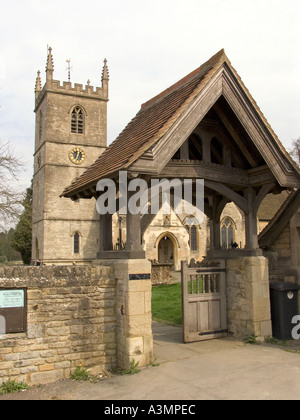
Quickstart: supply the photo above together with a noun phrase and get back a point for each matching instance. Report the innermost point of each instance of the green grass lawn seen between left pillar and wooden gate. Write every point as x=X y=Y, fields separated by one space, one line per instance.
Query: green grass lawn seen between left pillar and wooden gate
x=166 y=303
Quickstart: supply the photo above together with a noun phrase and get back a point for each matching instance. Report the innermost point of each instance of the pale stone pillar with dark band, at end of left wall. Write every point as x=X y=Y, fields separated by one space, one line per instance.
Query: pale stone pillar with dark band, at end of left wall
x=133 y=309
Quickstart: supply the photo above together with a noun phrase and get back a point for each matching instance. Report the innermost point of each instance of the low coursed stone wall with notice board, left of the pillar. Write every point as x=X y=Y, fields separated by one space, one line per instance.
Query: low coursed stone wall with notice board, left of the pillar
x=71 y=320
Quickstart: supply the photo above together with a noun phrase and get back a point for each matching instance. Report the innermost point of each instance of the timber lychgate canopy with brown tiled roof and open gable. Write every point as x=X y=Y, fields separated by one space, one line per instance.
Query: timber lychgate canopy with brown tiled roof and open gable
x=207 y=126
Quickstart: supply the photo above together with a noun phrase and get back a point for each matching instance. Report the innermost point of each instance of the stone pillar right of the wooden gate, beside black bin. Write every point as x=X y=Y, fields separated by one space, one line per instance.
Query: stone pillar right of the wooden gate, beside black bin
x=248 y=297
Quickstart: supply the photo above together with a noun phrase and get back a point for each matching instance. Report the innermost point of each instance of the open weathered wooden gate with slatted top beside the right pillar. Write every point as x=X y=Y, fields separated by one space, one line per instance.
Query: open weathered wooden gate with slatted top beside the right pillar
x=203 y=302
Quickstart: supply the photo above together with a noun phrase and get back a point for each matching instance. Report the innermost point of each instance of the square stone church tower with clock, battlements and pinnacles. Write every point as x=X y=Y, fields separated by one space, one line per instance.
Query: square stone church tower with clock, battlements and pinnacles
x=70 y=134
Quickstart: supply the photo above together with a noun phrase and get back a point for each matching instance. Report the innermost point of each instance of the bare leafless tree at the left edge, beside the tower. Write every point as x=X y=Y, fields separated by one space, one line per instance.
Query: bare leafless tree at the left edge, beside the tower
x=11 y=195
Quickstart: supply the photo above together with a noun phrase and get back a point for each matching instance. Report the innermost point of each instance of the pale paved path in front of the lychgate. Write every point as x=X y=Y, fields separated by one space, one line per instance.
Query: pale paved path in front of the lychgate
x=211 y=370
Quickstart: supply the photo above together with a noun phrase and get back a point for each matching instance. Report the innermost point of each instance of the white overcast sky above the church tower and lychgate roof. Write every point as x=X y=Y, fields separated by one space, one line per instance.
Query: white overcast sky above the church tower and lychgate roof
x=149 y=45
